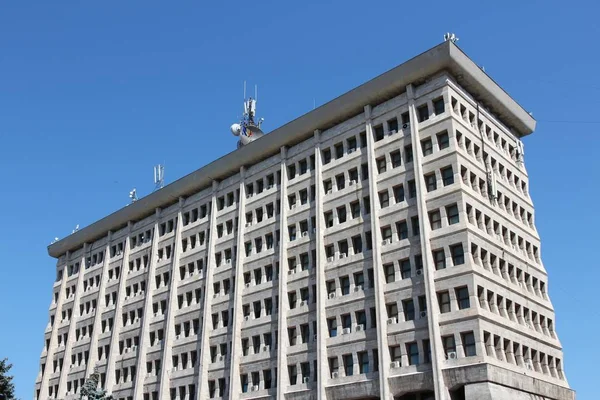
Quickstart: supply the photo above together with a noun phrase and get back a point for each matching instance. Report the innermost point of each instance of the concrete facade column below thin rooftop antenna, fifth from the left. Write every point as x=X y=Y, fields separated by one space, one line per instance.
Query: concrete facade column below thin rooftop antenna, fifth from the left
x=145 y=336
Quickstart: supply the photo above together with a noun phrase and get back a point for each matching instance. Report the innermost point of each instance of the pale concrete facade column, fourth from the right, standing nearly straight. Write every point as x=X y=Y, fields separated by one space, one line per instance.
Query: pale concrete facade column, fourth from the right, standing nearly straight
x=282 y=344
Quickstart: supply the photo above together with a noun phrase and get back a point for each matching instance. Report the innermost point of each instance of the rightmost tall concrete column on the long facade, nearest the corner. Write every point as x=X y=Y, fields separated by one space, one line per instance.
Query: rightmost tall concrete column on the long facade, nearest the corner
x=437 y=351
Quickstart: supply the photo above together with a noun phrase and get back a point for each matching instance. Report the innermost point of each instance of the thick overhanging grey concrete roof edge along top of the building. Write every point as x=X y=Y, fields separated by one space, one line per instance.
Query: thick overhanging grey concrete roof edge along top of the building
x=445 y=56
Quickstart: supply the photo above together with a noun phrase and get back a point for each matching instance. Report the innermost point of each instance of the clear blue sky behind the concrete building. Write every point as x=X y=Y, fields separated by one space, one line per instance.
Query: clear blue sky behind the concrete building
x=93 y=94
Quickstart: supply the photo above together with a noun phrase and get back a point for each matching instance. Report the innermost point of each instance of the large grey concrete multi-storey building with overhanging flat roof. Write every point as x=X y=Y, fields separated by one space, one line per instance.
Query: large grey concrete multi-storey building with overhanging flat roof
x=381 y=246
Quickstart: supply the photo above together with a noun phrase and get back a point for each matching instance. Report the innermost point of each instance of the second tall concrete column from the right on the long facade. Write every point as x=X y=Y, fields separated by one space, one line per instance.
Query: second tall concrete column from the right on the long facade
x=382 y=339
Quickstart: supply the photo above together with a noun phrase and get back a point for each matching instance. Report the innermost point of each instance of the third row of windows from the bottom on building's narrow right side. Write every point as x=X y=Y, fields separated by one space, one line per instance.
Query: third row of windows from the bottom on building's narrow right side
x=511 y=274
